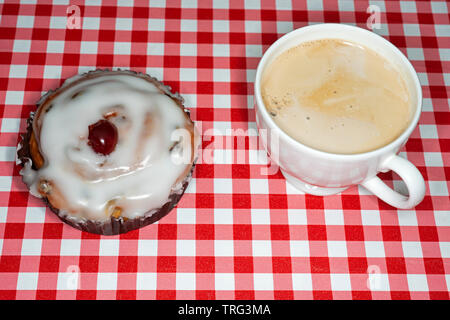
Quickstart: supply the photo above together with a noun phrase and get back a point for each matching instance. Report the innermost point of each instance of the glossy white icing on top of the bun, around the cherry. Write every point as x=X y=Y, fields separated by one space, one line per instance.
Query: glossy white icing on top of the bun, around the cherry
x=144 y=168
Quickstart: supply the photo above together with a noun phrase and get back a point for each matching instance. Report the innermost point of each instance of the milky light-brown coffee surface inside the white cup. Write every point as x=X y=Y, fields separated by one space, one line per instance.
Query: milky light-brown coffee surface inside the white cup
x=336 y=96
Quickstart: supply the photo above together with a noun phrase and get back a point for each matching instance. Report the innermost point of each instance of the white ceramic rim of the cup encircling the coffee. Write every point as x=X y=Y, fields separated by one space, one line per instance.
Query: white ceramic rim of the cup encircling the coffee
x=342 y=156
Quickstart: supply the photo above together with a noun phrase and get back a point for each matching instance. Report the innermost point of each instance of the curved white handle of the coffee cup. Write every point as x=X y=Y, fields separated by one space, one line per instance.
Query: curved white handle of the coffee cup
x=409 y=174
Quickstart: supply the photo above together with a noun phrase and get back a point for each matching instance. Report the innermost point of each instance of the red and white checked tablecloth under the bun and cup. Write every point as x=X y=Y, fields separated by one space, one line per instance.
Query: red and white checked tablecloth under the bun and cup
x=236 y=234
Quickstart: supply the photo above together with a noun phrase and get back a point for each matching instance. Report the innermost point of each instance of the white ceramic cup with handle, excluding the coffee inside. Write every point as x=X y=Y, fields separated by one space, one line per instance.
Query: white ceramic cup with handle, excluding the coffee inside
x=322 y=173
